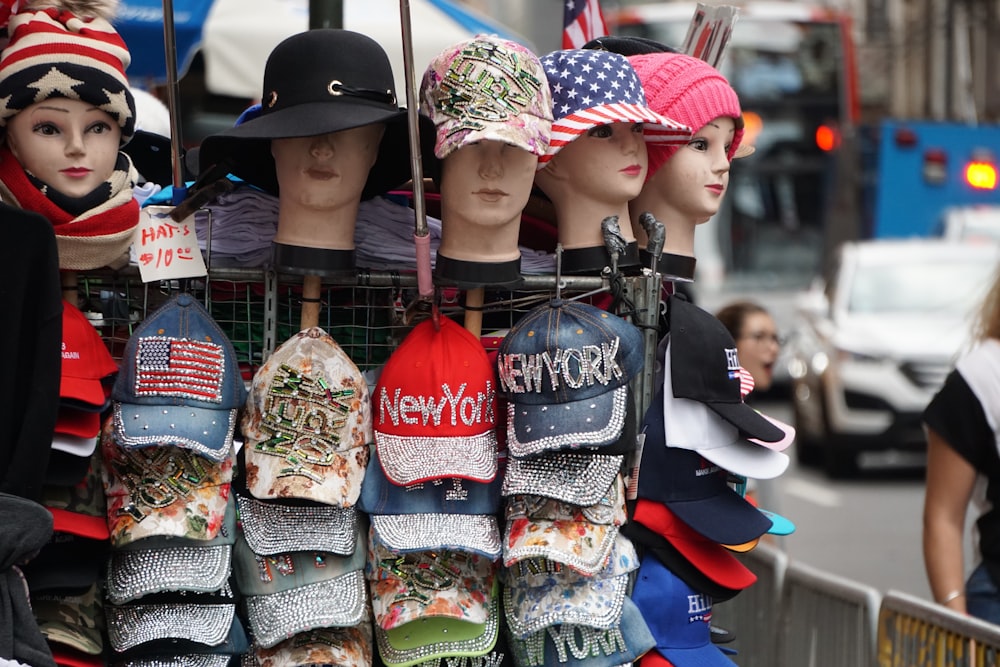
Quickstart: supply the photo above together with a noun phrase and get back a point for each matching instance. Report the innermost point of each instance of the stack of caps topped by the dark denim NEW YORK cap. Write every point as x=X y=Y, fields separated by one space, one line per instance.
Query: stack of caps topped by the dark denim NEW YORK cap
x=565 y=369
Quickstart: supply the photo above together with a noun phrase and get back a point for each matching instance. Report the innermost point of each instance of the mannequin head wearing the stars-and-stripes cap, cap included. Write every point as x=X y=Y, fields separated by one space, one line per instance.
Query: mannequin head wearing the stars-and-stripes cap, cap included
x=596 y=162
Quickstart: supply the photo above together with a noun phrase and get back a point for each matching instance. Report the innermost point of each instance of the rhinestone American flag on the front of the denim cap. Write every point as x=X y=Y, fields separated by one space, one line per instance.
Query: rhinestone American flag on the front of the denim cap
x=179 y=368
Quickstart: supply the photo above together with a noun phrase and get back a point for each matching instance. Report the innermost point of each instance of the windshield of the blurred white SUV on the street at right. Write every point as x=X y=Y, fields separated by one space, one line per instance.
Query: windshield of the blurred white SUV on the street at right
x=954 y=287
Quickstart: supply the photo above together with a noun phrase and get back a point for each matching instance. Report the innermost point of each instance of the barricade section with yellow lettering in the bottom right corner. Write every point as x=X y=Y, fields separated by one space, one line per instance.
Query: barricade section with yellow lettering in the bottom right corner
x=913 y=632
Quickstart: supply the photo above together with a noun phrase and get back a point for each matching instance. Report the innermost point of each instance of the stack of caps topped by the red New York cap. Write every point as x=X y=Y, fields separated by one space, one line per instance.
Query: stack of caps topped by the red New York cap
x=433 y=496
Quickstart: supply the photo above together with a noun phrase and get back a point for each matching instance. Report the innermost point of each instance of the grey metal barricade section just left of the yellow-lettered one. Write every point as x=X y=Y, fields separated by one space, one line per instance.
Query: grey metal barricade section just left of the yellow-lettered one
x=826 y=620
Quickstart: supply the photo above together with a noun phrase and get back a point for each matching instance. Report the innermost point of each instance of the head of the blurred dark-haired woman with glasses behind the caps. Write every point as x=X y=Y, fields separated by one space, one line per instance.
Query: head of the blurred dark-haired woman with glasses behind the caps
x=757 y=340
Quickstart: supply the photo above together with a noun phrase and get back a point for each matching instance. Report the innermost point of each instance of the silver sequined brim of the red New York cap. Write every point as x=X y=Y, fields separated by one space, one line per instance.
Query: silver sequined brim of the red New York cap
x=407 y=460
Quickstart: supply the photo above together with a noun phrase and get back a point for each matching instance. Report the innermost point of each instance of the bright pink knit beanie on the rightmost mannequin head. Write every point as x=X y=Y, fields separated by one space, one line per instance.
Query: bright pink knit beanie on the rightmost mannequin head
x=688 y=90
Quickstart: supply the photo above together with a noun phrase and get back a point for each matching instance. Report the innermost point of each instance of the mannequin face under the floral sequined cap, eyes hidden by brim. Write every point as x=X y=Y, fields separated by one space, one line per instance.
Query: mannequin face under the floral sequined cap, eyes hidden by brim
x=487 y=183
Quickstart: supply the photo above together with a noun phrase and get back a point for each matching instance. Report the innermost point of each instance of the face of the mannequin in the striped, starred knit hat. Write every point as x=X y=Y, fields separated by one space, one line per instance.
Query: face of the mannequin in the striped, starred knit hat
x=70 y=145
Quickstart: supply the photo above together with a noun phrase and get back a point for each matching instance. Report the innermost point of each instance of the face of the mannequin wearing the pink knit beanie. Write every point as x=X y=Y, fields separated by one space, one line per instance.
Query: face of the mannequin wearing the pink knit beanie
x=692 y=182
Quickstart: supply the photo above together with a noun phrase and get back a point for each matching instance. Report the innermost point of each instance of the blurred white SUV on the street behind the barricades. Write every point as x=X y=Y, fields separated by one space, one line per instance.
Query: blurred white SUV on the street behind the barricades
x=875 y=340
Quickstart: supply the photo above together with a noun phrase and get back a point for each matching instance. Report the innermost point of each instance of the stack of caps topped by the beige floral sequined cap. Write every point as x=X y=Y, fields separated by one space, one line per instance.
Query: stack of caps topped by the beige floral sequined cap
x=300 y=552
